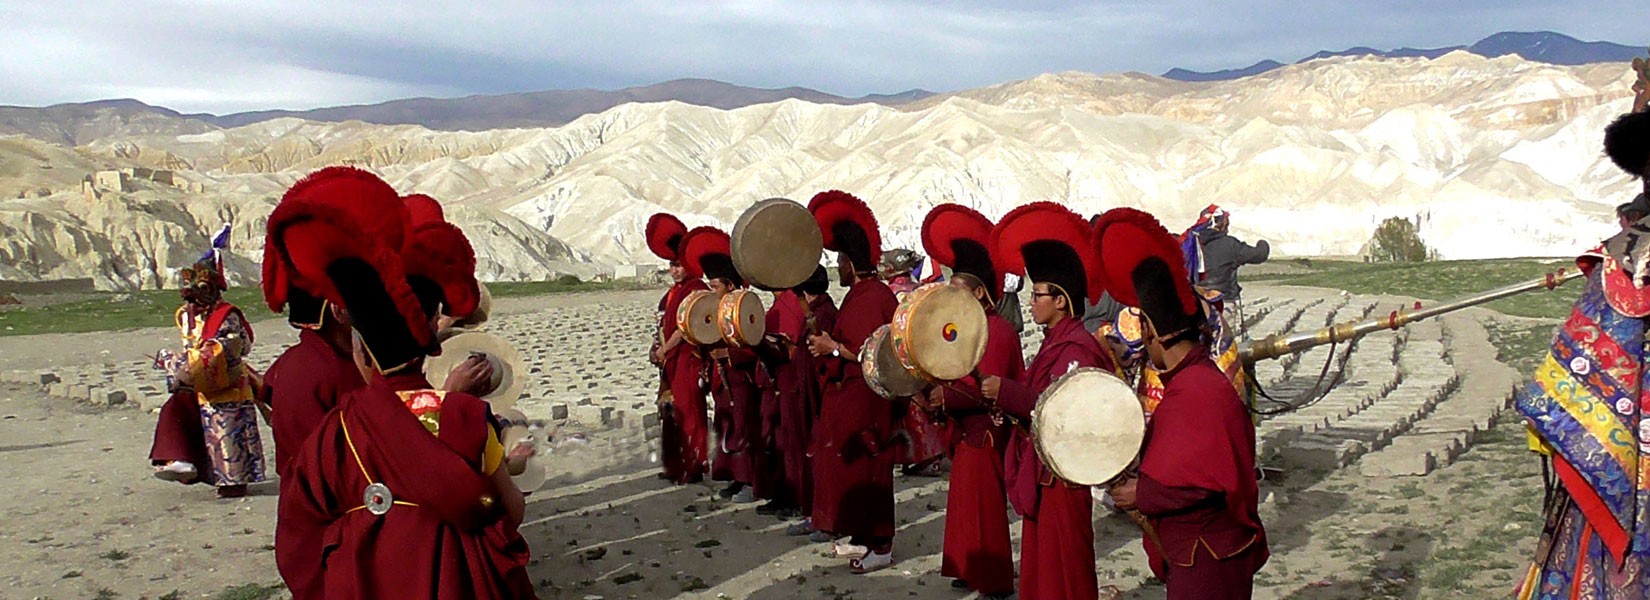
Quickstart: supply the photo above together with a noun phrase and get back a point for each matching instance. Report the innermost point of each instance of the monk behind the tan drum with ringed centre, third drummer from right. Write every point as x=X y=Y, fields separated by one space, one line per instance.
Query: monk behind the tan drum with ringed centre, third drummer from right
x=978 y=551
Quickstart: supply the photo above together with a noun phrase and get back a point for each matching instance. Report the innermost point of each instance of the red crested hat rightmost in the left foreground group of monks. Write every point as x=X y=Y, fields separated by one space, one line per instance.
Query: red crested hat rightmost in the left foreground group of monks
x=440 y=261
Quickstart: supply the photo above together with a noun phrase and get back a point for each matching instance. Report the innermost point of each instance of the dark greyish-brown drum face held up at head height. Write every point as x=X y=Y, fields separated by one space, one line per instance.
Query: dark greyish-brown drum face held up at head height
x=776 y=245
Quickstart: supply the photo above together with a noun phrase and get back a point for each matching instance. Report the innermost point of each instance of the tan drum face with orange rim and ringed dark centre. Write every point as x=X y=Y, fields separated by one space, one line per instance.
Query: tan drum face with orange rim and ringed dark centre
x=940 y=332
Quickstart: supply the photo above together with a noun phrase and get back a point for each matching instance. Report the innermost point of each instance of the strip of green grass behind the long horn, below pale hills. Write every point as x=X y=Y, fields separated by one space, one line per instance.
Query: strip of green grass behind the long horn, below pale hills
x=1438 y=281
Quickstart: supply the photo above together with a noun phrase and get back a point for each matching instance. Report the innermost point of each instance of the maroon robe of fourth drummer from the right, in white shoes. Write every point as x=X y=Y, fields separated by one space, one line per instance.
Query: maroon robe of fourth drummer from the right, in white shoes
x=854 y=480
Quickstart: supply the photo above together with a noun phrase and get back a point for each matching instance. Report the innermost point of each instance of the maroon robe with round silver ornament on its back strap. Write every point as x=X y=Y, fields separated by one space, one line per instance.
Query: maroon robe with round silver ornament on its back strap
x=451 y=545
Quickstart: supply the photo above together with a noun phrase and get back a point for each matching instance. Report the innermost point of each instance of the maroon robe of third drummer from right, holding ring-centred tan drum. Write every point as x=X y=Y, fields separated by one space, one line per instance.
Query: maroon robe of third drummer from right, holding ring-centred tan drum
x=978 y=548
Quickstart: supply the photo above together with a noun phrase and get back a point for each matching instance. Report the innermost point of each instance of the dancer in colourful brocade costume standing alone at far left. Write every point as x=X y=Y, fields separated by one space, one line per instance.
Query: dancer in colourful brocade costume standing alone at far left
x=209 y=429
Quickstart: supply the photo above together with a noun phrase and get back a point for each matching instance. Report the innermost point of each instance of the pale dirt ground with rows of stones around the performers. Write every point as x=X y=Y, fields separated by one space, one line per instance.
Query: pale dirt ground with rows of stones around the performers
x=1395 y=485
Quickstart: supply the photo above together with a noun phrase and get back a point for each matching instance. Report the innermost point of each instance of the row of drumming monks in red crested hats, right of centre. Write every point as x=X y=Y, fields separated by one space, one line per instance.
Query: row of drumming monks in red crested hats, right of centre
x=793 y=421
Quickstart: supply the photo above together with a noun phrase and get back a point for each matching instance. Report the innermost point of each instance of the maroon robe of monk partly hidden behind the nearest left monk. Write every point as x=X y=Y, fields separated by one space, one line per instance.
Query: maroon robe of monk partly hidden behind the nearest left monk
x=301 y=388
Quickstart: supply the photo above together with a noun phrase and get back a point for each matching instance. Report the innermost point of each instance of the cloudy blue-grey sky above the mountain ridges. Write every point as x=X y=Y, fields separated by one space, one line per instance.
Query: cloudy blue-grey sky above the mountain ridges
x=229 y=57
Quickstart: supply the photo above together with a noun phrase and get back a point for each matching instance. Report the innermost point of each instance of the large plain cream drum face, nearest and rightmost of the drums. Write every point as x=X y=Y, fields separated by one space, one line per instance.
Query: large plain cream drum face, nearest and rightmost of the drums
x=1088 y=426
